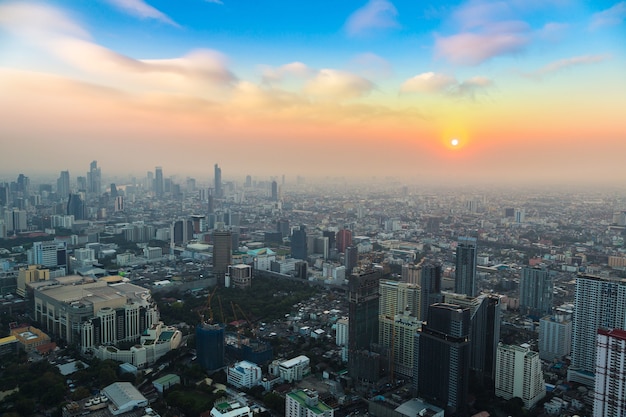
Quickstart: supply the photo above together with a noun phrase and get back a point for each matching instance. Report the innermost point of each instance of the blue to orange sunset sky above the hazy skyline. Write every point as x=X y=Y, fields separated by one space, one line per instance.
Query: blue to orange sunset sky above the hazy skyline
x=533 y=91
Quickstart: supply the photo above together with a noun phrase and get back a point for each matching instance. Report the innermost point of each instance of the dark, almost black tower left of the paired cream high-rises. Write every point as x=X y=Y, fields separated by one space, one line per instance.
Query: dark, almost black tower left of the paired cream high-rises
x=363 y=312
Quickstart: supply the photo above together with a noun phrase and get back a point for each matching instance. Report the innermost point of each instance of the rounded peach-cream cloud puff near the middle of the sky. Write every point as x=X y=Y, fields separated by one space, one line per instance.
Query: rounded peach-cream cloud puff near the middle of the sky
x=331 y=83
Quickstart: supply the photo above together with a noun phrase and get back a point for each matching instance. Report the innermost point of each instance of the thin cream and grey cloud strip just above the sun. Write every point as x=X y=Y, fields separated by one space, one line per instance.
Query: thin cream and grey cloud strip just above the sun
x=437 y=83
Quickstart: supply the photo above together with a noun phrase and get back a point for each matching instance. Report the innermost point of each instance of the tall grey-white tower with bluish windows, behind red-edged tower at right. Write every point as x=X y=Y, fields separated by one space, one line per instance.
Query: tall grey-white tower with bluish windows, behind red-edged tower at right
x=599 y=303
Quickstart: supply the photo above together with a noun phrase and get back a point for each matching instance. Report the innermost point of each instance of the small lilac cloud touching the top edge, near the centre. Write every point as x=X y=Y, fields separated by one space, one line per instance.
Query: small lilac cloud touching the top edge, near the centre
x=375 y=15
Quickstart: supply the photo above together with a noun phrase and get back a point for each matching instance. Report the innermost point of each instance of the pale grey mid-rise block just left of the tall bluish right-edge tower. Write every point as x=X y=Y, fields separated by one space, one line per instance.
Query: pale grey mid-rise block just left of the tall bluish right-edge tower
x=555 y=335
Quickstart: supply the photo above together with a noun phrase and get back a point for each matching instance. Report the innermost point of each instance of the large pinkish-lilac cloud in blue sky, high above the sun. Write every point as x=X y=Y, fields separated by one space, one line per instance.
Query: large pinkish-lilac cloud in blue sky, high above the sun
x=473 y=48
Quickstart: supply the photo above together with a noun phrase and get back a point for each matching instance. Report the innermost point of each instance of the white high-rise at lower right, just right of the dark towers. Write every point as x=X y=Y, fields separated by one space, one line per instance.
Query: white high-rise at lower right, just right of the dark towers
x=518 y=374
